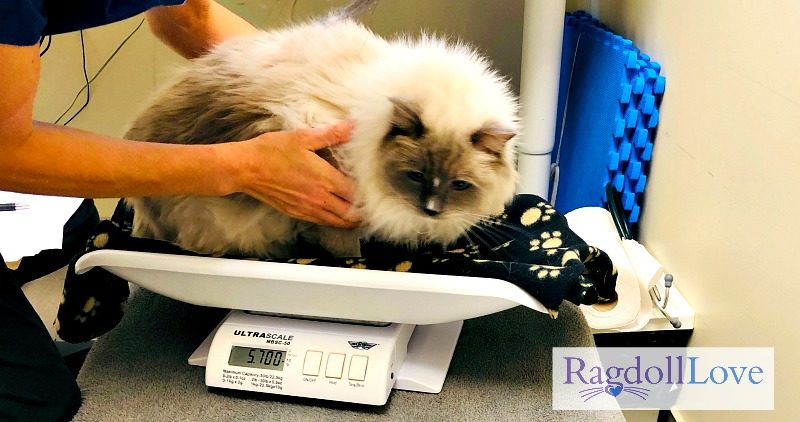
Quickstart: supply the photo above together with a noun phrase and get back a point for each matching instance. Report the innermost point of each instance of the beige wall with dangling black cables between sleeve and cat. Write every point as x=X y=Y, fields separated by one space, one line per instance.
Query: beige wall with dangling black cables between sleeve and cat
x=119 y=91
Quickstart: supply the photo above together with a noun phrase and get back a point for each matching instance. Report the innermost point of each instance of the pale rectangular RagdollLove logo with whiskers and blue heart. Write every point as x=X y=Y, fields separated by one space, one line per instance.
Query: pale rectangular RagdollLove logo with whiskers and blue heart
x=692 y=378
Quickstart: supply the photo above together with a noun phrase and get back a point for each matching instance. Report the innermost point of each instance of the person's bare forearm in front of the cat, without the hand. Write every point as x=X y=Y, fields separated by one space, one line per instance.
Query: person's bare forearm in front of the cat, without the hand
x=55 y=160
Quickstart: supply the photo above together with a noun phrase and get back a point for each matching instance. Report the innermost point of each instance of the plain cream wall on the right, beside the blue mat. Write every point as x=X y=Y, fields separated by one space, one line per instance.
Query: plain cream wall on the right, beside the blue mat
x=722 y=202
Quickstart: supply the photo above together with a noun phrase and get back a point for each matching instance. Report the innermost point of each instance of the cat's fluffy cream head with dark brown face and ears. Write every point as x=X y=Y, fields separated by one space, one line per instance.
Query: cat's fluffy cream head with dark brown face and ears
x=435 y=154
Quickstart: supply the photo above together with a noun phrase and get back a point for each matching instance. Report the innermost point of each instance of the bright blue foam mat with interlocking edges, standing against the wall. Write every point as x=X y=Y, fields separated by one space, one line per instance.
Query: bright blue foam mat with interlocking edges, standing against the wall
x=609 y=99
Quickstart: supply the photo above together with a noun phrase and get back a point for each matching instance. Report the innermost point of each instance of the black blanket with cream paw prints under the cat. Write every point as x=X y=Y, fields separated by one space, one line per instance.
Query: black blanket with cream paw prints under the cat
x=529 y=245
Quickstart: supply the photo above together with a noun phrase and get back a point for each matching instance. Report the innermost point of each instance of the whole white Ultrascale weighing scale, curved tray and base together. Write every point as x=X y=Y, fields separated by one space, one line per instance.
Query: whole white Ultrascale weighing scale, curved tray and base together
x=319 y=332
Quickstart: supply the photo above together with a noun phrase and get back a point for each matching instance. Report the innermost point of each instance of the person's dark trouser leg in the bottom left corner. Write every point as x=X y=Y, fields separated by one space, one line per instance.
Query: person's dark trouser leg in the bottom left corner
x=35 y=384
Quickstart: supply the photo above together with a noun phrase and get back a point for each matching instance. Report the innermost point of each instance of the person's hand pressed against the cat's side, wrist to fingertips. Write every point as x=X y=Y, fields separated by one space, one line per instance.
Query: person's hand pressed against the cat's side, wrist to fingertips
x=283 y=170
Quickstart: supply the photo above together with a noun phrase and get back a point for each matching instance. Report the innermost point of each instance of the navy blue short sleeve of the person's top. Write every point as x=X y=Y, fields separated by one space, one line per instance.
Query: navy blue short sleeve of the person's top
x=23 y=22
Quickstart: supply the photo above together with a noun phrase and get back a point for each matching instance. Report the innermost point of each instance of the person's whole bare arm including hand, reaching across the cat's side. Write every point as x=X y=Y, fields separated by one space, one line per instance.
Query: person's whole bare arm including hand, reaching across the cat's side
x=47 y=159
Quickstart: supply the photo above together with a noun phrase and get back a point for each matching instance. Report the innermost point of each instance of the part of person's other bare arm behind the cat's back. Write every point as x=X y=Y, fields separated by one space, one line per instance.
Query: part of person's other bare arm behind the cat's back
x=196 y=26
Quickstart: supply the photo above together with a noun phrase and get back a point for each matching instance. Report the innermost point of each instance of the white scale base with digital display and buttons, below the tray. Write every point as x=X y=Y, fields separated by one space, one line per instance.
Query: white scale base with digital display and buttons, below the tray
x=343 y=361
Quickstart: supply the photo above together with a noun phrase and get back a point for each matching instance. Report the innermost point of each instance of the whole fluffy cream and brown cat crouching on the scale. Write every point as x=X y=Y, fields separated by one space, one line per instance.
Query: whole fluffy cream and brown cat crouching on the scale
x=431 y=153
